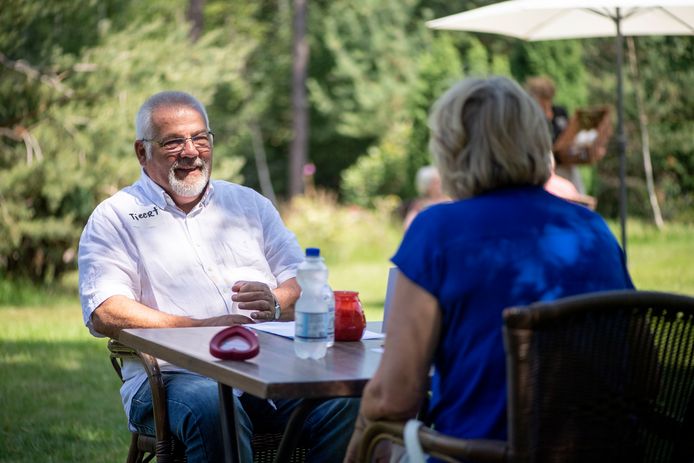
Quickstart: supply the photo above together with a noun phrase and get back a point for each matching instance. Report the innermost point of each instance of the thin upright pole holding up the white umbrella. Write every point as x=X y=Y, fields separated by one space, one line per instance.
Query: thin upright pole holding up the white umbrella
x=621 y=139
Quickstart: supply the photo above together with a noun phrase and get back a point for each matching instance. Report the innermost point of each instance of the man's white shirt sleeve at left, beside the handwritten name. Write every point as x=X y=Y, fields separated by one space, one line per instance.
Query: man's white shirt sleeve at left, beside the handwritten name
x=106 y=267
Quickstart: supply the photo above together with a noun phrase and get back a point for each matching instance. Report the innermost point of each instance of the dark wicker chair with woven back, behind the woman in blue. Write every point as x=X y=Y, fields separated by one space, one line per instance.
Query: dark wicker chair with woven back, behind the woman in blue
x=603 y=377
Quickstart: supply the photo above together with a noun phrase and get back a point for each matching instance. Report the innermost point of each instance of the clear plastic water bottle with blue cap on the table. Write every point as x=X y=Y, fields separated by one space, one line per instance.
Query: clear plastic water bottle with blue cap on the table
x=311 y=310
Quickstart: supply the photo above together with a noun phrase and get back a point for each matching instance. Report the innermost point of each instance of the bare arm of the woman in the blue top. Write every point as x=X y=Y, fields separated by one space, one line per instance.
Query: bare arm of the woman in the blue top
x=399 y=385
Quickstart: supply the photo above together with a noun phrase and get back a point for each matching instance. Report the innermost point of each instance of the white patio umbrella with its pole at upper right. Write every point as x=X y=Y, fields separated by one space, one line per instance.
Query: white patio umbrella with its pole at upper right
x=536 y=20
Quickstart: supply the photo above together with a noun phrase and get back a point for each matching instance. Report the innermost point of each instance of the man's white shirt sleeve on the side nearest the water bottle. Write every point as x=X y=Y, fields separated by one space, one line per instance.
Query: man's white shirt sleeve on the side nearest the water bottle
x=281 y=248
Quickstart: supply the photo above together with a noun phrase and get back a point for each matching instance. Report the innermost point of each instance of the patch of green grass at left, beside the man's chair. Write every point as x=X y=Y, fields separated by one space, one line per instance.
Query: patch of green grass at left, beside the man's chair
x=58 y=393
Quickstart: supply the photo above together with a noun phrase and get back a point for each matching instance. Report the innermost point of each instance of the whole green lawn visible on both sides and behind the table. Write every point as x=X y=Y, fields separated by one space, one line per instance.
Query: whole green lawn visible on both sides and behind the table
x=59 y=395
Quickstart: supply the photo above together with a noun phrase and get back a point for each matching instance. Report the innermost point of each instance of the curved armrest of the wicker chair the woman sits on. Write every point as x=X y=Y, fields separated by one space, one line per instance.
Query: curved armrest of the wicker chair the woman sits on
x=434 y=443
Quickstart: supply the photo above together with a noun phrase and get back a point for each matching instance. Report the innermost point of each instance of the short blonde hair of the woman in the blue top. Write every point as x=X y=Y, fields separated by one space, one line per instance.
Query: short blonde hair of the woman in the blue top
x=488 y=134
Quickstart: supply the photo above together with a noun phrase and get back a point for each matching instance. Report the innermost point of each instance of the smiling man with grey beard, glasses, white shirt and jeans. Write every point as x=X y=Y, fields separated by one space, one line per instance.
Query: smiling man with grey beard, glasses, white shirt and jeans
x=177 y=249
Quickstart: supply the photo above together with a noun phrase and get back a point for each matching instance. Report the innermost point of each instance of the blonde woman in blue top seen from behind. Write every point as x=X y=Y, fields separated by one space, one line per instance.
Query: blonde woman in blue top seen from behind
x=503 y=241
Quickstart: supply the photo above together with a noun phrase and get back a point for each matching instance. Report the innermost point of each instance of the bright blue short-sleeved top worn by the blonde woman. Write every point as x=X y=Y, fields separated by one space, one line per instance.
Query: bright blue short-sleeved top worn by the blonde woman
x=478 y=256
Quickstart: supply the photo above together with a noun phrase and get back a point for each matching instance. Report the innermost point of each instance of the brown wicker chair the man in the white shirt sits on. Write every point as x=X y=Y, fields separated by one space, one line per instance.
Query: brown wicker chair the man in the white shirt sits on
x=164 y=446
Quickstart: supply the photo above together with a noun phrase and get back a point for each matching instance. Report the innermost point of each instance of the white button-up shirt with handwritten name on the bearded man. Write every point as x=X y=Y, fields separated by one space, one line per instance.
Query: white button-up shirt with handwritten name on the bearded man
x=139 y=244
